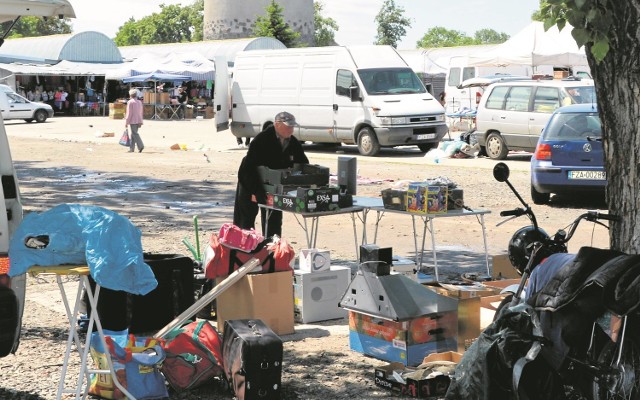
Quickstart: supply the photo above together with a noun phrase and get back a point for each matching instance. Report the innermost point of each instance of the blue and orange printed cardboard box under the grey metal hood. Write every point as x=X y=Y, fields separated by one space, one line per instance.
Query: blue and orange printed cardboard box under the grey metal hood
x=406 y=342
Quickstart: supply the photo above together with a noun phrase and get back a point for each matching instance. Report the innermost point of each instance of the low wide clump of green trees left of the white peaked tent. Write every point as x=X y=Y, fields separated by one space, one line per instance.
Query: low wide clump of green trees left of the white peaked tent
x=442 y=37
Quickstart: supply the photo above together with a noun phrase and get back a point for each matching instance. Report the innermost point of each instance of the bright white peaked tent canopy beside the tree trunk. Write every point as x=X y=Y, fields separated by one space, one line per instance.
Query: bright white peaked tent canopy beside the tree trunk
x=534 y=47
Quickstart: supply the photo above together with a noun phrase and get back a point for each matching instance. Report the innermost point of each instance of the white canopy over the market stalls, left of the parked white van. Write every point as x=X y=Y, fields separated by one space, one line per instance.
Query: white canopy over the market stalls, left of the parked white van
x=192 y=65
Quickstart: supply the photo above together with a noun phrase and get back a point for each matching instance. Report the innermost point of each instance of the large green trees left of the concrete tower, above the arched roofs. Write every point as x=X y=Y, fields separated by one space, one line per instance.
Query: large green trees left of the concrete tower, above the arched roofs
x=173 y=24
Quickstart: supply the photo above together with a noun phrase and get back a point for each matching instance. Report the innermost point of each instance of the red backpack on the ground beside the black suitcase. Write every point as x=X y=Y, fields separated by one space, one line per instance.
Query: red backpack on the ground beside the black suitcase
x=194 y=355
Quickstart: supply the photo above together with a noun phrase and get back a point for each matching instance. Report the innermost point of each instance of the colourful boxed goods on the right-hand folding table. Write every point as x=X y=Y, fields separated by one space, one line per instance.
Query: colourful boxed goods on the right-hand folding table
x=431 y=196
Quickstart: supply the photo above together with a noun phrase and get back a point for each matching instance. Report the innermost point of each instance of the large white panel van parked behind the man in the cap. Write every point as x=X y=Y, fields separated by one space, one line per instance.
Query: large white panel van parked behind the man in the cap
x=364 y=95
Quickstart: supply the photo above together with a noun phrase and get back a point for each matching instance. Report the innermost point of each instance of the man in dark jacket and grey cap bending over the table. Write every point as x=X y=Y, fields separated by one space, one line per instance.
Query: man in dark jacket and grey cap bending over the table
x=275 y=148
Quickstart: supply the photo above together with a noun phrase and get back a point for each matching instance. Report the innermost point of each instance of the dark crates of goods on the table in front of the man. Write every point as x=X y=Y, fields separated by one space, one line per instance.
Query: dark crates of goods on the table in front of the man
x=303 y=188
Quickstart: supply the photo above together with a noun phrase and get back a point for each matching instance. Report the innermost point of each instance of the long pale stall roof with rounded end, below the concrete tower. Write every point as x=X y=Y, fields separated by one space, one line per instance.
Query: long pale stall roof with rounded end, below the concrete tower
x=210 y=49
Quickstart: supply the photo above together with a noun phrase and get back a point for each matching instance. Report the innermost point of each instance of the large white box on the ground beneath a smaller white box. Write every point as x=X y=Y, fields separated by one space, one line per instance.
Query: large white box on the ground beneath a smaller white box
x=316 y=295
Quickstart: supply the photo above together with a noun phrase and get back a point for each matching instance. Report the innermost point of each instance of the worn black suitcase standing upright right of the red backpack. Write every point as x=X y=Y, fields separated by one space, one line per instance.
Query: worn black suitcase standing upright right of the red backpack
x=252 y=359
